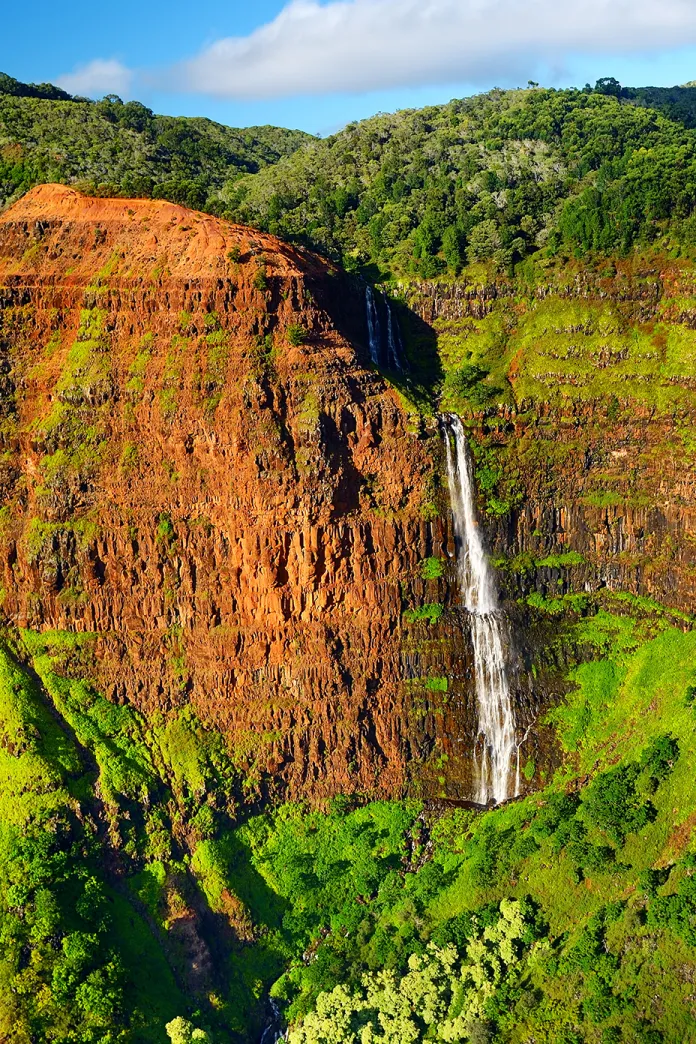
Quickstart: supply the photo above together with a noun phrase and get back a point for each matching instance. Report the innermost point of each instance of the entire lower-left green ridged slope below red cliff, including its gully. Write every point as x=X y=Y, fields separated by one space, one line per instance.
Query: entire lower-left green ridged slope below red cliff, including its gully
x=92 y=800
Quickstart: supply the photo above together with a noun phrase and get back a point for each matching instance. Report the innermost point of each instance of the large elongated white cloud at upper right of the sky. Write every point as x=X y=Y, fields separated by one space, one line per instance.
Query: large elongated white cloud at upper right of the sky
x=364 y=45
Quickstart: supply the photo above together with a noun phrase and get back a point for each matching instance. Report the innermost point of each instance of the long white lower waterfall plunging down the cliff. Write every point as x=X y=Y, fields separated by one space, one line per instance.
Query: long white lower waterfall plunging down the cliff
x=490 y=637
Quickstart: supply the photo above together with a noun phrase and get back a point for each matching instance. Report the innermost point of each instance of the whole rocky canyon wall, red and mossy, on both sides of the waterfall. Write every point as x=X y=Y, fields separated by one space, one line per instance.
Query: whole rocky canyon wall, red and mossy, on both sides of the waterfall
x=201 y=467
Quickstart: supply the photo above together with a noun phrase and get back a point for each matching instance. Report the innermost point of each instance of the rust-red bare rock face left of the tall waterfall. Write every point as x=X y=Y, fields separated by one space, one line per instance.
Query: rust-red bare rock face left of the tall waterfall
x=199 y=466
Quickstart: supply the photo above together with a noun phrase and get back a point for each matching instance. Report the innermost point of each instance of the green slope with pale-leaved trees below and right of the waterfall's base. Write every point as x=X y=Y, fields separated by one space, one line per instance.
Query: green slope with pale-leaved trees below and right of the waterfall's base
x=601 y=863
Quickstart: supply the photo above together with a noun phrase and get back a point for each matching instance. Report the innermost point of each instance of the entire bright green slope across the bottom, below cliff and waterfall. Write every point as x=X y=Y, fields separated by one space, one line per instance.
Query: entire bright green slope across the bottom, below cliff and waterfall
x=569 y=916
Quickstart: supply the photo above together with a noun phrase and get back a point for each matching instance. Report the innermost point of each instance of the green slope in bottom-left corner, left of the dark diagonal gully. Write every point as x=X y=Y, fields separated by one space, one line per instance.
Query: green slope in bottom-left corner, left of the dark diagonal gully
x=70 y=969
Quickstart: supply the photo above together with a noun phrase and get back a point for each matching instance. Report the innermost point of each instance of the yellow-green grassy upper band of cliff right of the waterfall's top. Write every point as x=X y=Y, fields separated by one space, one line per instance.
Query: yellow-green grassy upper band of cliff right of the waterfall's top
x=565 y=347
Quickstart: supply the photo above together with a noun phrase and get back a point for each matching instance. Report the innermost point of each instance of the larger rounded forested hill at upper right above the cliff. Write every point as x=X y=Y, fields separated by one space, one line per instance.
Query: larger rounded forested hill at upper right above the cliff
x=489 y=179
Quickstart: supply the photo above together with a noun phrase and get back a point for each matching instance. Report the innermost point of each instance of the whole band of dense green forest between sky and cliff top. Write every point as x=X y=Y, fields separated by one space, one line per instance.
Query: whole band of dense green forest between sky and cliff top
x=489 y=179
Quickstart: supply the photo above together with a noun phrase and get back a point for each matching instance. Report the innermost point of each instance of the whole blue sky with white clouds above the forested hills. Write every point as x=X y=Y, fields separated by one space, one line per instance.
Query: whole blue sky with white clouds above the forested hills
x=319 y=64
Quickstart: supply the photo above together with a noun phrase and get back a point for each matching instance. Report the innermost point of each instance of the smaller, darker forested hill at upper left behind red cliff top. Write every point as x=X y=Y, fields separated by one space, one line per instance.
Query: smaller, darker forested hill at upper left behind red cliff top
x=116 y=149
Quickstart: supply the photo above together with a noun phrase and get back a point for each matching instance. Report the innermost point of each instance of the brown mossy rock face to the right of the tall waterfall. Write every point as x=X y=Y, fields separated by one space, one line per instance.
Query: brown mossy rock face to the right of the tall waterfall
x=597 y=456
